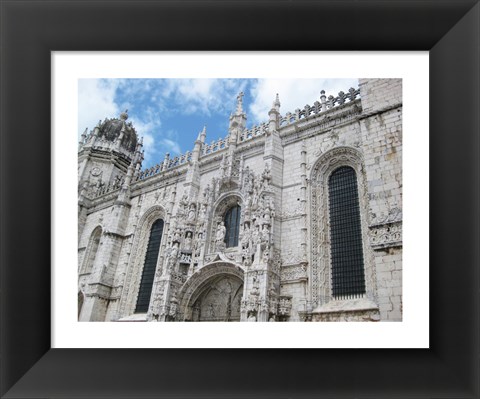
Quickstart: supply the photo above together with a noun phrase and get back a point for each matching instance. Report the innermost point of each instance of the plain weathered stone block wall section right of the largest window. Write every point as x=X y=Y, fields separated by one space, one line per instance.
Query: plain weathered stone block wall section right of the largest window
x=381 y=131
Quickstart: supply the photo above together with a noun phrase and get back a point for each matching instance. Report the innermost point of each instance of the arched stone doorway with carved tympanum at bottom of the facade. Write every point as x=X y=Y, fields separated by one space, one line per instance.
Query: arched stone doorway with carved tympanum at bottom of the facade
x=214 y=293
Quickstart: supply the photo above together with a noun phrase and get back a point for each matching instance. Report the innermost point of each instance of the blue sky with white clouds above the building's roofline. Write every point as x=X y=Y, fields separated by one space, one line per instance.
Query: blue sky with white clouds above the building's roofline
x=169 y=113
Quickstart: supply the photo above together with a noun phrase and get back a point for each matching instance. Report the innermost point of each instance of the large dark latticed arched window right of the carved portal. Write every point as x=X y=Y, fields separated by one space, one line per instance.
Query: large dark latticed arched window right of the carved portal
x=348 y=279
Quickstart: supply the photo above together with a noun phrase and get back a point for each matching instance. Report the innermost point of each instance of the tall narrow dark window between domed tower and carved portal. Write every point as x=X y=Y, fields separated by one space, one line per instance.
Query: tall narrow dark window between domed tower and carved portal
x=148 y=273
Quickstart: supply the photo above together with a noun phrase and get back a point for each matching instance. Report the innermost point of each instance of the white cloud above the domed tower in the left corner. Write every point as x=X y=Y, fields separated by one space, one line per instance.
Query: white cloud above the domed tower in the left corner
x=96 y=101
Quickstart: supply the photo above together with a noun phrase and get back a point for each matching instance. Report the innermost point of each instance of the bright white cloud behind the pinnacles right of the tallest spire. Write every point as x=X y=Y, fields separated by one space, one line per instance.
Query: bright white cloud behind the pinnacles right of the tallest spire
x=293 y=93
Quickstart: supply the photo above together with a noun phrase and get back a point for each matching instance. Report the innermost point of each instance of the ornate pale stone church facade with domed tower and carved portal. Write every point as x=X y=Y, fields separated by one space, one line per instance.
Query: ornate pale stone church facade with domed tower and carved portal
x=297 y=219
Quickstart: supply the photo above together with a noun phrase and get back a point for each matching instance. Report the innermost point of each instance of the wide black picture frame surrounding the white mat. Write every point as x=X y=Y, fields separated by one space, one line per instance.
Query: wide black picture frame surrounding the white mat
x=30 y=30
